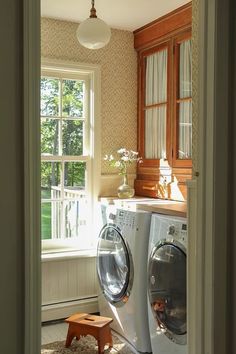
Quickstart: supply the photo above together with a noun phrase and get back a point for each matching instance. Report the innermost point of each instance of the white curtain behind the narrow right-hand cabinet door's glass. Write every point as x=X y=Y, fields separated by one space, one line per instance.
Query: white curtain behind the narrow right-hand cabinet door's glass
x=185 y=107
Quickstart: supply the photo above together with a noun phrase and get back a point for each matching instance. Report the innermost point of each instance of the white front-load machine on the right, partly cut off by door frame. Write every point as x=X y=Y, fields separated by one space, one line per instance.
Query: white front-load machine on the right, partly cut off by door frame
x=167 y=284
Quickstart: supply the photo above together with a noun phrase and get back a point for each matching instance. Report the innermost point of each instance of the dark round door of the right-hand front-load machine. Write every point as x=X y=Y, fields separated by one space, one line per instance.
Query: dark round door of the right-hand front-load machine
x=167 y=289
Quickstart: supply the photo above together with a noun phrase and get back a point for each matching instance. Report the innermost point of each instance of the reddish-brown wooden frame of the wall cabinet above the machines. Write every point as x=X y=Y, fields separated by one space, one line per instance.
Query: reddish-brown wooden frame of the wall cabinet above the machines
x=167 y=32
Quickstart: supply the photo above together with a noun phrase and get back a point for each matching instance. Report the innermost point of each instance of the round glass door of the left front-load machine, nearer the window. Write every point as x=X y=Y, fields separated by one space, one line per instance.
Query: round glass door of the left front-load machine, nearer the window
x=114 y=265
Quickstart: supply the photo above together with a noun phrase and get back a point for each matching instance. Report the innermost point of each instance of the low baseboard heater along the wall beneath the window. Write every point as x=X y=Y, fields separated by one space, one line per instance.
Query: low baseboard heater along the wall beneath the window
x=56 y=311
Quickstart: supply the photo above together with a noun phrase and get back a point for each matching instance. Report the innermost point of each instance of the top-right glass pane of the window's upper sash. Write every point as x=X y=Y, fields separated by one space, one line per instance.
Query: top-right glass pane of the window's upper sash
x=72 y=98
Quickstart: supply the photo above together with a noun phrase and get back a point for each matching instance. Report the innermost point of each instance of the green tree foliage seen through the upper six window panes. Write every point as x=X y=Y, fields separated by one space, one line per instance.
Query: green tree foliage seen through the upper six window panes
x=70 y=127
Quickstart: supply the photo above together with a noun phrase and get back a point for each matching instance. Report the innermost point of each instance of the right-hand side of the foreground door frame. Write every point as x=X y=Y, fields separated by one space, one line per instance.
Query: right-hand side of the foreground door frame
x=208 y=192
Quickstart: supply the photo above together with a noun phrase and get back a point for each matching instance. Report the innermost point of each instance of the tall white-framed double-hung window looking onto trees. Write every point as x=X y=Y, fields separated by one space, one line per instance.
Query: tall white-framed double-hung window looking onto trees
x=67 y=157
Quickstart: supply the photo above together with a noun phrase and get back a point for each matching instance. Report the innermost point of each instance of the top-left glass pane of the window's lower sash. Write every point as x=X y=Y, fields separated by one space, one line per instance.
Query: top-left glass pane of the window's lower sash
x=50 y=180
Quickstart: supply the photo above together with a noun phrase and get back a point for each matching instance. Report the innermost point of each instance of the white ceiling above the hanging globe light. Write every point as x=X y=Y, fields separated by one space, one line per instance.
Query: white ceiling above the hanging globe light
x=121 y=14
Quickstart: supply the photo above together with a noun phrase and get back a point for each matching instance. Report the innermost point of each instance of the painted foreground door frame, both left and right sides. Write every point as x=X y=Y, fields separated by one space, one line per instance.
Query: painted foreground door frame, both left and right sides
x=207 y=210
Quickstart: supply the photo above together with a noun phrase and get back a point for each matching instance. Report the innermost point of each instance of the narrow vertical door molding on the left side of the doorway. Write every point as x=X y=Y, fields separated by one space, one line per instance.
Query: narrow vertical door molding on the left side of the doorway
x=31 y=38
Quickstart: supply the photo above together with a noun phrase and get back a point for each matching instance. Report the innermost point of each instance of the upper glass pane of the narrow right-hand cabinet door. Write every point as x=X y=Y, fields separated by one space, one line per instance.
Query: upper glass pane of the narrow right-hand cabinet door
x=185 y=69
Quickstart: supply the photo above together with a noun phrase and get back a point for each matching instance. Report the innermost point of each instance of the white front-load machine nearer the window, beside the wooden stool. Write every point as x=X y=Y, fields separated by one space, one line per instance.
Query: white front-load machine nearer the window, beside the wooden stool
x=121 y=266
